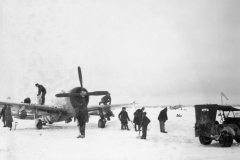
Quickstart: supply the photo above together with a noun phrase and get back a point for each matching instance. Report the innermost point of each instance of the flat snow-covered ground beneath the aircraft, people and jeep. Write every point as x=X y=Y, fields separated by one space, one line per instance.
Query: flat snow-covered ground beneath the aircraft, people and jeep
x=58 y=141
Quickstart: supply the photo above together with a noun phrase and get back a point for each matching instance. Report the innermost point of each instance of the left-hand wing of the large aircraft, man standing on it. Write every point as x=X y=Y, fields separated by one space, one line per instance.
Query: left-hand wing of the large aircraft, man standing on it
x=34 y=106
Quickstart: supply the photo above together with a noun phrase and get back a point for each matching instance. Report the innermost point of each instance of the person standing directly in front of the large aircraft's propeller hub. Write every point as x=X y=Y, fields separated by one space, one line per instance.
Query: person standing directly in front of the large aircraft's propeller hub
x=81 y=122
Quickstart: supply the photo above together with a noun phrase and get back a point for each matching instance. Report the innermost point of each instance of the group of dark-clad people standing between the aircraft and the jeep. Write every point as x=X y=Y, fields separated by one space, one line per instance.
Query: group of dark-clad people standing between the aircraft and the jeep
x=141 y=120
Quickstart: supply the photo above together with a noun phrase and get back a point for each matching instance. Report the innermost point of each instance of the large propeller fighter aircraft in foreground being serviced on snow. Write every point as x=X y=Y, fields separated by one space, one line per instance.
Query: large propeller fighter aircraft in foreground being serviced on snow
x=64 y=107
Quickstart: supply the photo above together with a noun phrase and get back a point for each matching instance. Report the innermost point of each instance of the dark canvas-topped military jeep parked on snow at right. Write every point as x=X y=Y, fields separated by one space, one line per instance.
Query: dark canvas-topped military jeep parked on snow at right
x=223 y=128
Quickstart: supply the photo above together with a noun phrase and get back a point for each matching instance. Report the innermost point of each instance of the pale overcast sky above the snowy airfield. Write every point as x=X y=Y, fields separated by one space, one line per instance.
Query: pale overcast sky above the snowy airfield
x=154 y=52
